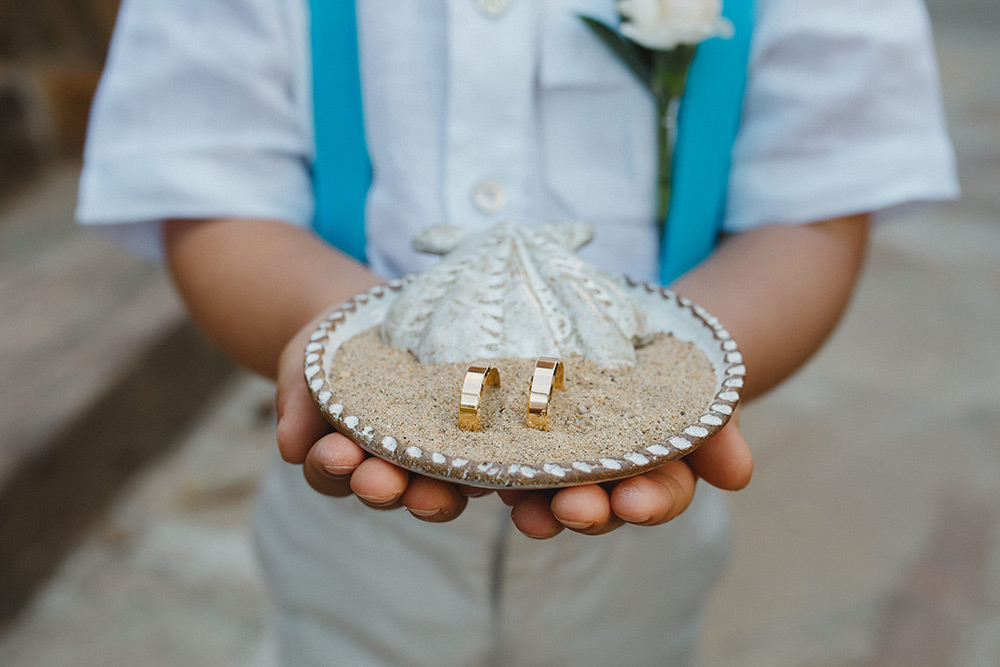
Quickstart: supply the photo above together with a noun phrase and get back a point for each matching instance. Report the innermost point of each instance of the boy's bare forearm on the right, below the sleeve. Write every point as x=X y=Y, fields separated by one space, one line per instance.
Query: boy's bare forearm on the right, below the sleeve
x=780 y=290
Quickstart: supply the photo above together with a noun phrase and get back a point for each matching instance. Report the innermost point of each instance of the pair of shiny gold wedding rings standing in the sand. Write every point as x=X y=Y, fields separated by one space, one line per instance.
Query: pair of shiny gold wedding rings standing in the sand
x=548 y=375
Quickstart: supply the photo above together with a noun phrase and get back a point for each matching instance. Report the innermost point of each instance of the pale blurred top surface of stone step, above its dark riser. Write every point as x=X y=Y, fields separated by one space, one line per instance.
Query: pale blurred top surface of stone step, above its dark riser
x=54 y=278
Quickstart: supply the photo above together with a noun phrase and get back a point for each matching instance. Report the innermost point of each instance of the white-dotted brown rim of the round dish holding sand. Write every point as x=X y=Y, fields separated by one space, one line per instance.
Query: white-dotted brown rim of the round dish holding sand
x=665 y=311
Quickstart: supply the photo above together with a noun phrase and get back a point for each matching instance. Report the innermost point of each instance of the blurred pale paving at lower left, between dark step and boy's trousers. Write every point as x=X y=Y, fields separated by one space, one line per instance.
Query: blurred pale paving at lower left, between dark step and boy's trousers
x=168 y=577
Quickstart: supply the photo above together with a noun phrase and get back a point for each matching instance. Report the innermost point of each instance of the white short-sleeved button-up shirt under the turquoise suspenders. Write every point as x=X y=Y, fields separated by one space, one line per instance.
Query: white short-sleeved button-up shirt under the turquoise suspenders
x=482 y=111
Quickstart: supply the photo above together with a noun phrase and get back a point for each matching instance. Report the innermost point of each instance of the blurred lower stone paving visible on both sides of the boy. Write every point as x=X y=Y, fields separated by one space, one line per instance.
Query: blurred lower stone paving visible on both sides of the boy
x=869 y=537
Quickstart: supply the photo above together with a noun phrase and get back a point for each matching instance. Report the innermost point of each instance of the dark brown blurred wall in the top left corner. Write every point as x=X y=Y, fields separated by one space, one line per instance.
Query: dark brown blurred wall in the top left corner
x=51 y=52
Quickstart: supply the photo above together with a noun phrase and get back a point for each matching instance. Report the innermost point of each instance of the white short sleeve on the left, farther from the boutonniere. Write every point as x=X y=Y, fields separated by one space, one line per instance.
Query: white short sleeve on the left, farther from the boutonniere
x=201 y=112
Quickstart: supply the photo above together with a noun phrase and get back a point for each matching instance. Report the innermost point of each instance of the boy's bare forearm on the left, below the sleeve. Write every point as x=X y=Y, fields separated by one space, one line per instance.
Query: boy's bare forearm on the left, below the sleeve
x=252 y=284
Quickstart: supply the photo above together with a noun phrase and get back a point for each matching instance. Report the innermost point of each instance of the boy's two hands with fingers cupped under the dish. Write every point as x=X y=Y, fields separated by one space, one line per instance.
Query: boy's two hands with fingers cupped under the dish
x=336 y=466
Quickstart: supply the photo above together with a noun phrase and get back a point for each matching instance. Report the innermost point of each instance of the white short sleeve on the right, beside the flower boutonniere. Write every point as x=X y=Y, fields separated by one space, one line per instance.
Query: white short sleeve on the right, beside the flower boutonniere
x=842 y=114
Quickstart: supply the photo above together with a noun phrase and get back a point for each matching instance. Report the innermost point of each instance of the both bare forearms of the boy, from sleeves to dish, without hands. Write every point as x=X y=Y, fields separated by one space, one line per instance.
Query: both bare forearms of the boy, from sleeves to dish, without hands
x=251 y=284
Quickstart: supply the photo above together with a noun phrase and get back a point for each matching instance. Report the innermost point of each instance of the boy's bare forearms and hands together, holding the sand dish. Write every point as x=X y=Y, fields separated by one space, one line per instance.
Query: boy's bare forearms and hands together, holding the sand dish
x=252 y=285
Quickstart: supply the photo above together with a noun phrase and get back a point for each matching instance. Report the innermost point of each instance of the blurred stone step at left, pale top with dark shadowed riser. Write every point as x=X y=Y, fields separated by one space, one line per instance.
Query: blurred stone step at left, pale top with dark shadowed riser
x=102 y=373
